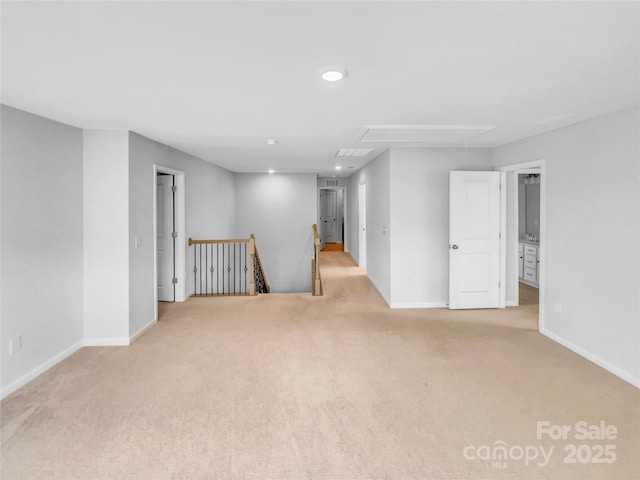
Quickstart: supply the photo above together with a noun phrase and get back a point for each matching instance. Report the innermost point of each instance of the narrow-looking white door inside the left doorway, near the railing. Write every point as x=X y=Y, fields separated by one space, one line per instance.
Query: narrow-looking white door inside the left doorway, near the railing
x=165 y=241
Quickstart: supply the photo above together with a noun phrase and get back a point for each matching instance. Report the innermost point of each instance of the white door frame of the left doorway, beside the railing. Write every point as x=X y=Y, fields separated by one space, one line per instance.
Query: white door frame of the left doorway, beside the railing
x=180 y=243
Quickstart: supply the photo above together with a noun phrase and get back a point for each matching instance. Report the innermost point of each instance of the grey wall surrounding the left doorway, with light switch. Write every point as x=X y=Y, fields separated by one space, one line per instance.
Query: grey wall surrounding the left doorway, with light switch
x=209 y=212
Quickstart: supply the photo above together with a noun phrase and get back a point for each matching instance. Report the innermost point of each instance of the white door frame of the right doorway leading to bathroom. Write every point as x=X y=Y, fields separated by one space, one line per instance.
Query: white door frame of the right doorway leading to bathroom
x=513 y=170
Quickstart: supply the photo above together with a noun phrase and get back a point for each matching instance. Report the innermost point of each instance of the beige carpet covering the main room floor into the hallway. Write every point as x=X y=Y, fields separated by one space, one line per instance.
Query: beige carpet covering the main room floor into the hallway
x=301 y=387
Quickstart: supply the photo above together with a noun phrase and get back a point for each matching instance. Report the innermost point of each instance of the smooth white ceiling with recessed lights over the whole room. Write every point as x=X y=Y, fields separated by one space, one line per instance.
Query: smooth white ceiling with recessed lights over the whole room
x=216 y=79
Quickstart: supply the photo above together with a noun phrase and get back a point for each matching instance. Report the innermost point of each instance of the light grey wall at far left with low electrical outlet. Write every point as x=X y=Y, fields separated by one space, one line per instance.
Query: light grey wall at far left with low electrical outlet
x=41 y=245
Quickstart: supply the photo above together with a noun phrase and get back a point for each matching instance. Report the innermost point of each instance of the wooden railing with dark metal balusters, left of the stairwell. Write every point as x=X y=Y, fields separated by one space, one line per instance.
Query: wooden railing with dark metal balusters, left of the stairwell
x=228 y=267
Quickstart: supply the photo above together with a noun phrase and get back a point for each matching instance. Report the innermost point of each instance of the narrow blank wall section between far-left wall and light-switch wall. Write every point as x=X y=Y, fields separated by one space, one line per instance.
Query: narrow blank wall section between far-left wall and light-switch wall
x=106 y=230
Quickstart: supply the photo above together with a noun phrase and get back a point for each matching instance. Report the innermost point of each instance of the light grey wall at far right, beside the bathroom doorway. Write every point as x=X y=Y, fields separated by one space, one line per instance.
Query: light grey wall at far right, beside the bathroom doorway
x=592 y=236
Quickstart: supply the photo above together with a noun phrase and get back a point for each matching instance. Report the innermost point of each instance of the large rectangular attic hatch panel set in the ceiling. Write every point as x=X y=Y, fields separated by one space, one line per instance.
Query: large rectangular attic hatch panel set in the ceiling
x=422 y=133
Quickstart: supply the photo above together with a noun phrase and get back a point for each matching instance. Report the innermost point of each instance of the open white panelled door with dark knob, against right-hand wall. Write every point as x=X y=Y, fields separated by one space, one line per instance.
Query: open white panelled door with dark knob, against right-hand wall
x=474 y=239
